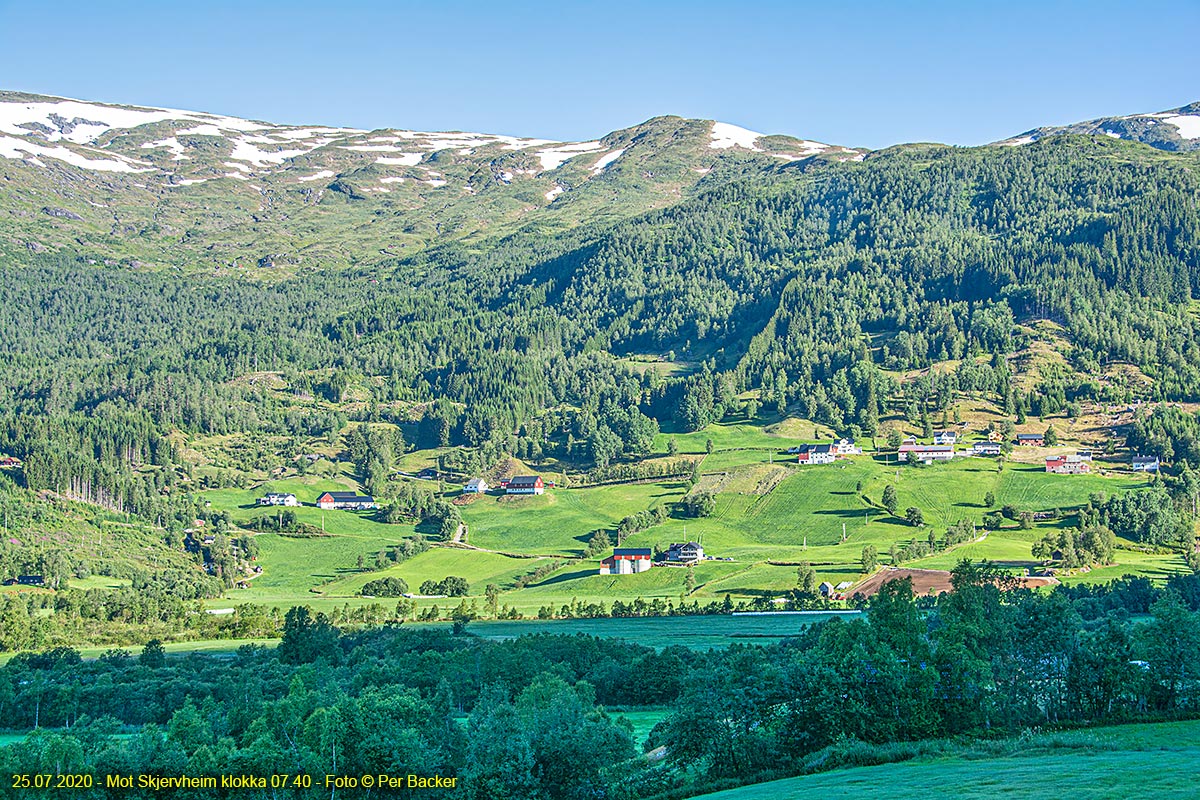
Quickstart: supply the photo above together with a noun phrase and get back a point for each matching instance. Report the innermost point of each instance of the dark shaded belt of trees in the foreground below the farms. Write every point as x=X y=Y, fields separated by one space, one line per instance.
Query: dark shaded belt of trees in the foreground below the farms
x=535 y=718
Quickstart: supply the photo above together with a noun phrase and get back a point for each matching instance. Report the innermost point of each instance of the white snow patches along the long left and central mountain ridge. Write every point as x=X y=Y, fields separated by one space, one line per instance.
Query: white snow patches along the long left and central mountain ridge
x=178 y=143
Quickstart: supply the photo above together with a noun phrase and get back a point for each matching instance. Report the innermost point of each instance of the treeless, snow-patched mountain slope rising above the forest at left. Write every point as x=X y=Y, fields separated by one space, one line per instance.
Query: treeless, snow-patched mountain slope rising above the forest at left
x=165 y=188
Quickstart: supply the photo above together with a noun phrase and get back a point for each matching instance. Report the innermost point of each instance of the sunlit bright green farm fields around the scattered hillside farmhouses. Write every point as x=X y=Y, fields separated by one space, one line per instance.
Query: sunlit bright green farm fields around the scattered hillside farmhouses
x=769 y=509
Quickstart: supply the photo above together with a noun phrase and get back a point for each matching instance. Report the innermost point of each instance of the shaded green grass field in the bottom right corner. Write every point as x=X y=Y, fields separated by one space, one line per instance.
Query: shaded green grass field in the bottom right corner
x=1153 y=761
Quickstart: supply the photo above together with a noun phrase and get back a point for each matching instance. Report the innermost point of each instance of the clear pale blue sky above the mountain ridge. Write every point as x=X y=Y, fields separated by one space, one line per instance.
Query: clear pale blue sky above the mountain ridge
x=868 y=74
